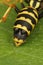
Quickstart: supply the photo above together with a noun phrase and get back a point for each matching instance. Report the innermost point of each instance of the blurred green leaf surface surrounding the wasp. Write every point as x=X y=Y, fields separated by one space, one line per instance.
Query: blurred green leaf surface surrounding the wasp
x=30 y=53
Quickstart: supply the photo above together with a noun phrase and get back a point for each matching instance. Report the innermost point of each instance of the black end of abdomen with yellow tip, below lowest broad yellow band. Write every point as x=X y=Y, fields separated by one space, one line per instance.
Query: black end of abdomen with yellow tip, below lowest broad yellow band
x=19 y=36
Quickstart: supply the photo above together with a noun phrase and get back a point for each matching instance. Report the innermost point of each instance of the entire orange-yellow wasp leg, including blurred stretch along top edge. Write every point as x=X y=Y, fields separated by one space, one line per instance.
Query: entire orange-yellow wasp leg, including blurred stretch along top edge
x=3 y=19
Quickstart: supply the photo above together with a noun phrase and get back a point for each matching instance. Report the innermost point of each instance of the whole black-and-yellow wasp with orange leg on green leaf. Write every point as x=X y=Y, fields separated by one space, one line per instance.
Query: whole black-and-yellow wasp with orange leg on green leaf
x=26 y=20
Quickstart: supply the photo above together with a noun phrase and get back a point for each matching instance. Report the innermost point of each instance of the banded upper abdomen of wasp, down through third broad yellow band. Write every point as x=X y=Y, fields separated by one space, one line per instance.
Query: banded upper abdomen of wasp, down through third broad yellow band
x=27 y=19
